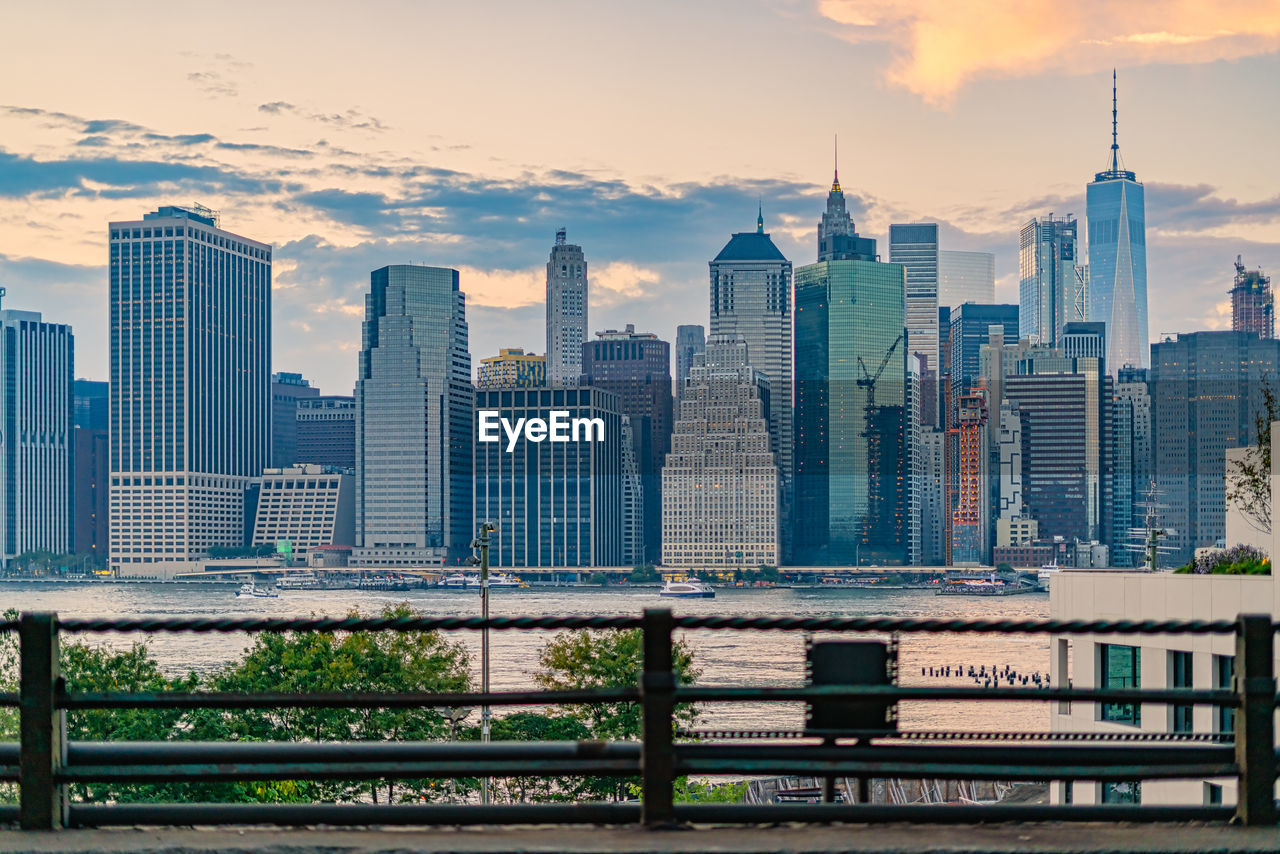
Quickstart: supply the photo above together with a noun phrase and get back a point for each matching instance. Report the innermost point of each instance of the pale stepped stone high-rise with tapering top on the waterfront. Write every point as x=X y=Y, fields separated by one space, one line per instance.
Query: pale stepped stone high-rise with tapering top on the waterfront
x=720 y=487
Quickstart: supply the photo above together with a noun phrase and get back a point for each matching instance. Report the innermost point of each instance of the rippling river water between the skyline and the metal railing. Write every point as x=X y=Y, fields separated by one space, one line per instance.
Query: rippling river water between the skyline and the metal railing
x=725 y=657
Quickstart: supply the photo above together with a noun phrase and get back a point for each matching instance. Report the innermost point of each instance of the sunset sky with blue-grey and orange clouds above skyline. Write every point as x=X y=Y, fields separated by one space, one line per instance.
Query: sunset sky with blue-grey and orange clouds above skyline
x=464 y=135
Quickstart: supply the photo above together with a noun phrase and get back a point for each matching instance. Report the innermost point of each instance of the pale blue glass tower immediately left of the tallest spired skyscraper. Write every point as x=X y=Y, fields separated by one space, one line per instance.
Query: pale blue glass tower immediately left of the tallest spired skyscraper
x=1053 y=286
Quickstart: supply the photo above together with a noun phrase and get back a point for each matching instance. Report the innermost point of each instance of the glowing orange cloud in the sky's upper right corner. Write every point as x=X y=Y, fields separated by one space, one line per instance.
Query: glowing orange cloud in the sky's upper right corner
x=940 y=45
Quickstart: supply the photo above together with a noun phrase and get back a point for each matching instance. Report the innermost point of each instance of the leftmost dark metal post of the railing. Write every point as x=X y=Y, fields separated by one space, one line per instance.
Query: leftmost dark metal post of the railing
x=44 y=725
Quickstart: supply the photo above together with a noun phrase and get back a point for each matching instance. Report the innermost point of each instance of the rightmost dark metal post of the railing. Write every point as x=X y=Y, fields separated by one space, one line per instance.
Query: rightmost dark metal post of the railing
x=1255 y=720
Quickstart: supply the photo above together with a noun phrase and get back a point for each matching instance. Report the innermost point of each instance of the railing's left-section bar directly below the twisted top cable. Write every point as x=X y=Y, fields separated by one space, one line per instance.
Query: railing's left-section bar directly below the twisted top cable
x=281 y=700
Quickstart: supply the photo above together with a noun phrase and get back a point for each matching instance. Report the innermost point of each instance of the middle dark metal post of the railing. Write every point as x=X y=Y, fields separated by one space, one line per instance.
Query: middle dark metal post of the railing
x=657 y=696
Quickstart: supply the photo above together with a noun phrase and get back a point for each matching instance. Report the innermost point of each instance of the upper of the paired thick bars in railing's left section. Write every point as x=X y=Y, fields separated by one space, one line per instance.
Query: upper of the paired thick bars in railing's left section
x=112 y=753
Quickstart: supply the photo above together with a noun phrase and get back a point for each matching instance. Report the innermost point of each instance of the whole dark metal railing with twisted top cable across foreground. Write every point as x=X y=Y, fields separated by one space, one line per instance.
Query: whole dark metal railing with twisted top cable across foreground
x=44 y=764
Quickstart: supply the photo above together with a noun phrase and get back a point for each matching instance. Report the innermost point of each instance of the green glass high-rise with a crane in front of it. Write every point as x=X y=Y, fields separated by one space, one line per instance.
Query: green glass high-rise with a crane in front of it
x=853 y=474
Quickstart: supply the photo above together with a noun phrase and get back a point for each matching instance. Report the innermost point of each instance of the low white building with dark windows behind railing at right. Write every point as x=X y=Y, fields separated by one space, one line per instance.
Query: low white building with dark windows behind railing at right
x=1153 y=663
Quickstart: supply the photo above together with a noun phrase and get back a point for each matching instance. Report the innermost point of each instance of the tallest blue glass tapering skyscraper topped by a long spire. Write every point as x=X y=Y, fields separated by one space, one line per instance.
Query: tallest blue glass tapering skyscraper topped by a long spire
x=1118 y=258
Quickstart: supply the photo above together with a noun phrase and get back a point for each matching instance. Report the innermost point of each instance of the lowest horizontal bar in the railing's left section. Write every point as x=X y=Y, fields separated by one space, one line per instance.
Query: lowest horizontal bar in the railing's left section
x=295 y=815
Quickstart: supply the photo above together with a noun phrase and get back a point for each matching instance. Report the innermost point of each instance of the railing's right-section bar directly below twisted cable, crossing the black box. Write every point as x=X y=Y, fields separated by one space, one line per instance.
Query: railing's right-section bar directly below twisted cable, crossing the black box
x=734 y=695
